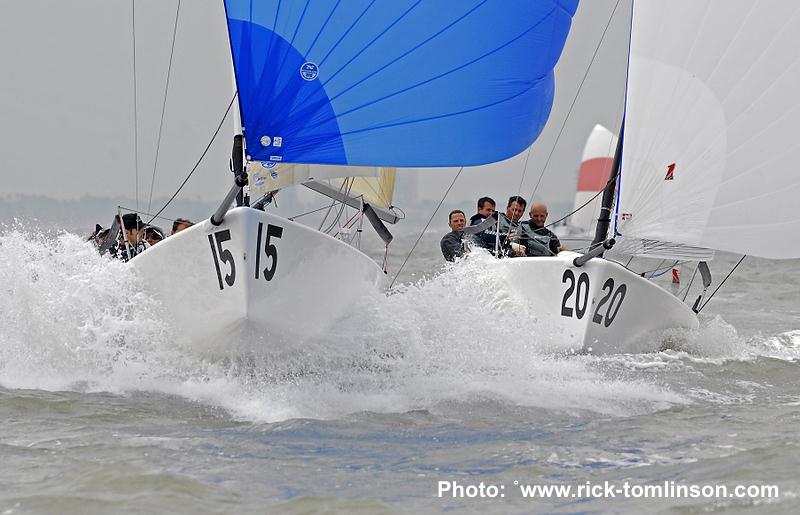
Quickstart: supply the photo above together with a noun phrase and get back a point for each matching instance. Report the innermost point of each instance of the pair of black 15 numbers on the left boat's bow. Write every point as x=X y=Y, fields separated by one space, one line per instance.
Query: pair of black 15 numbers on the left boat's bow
x=224 y=258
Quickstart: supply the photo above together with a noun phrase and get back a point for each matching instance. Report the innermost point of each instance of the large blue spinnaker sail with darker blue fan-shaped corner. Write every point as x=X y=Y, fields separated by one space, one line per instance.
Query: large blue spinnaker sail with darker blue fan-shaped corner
x=409 y=83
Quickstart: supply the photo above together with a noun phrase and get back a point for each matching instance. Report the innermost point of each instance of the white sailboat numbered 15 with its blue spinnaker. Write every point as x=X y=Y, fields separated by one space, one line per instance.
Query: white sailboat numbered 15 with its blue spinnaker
x=347 y=91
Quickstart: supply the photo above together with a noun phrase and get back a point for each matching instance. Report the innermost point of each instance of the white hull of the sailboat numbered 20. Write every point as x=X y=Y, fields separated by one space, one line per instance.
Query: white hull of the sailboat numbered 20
x=601 y=307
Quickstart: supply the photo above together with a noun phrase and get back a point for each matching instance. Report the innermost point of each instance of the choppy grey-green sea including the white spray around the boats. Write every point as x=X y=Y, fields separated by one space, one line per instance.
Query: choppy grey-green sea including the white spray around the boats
x=437 y=397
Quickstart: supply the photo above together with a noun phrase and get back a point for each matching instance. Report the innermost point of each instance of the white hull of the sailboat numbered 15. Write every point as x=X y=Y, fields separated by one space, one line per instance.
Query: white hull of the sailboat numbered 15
x=257 y=281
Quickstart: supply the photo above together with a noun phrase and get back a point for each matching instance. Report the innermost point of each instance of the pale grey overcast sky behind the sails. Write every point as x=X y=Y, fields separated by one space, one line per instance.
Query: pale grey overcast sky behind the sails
x=67 y=103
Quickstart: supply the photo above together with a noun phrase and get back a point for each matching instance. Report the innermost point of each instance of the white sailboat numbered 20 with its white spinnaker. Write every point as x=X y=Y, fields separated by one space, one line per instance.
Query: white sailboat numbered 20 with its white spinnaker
x=707 y=163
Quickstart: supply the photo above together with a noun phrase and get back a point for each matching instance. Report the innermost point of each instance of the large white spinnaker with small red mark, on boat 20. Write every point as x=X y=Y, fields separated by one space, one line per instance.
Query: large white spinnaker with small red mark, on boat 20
x=711 y=128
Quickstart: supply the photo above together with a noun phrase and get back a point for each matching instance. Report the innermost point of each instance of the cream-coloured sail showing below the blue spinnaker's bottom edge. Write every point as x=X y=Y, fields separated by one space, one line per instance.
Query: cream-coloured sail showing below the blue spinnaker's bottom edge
x=375 y=184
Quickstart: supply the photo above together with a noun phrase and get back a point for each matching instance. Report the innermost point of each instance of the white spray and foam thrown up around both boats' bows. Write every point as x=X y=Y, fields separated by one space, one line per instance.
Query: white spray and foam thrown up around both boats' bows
x=72 y=319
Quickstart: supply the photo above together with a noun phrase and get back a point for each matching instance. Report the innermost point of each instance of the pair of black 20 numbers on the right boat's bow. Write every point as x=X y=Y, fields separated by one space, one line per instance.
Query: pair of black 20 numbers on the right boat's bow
x=606 y=310
